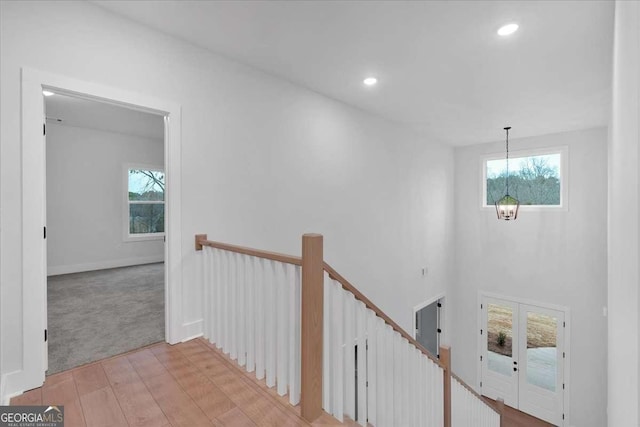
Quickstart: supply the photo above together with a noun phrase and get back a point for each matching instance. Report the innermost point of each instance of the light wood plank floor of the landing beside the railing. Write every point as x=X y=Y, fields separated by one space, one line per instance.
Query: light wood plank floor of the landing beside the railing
x=189 y=384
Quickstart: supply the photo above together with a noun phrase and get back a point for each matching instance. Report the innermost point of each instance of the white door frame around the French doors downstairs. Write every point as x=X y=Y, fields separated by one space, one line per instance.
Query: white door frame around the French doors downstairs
x=567 y=342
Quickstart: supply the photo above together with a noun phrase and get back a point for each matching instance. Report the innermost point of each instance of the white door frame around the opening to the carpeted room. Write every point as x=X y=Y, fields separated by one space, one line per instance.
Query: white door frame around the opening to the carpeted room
x=34 y=268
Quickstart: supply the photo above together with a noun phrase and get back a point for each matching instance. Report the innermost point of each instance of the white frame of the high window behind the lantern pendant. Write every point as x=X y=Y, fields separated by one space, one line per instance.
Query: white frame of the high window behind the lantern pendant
x=564 y=177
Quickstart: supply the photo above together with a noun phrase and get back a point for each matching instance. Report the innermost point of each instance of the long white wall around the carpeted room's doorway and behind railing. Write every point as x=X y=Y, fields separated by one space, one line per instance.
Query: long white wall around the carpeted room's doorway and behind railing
x=264 y=161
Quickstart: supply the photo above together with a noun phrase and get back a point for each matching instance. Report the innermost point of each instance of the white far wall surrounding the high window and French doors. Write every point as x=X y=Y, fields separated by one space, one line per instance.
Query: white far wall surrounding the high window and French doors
x=549 y=257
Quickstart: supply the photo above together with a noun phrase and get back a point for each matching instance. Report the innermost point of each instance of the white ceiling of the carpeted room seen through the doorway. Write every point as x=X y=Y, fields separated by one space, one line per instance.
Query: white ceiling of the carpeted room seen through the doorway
x=79 y=112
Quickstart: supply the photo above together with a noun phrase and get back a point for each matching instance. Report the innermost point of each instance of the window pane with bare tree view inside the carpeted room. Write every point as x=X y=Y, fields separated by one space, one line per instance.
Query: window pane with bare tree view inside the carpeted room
x=145 y=201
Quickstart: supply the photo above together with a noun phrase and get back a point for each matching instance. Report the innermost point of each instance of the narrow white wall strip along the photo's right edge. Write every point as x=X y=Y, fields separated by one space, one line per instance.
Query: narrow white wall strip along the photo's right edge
x=624 y=241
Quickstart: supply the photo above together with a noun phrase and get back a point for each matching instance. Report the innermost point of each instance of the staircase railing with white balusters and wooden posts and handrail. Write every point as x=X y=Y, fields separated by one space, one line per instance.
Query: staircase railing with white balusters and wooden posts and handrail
x=301 y=326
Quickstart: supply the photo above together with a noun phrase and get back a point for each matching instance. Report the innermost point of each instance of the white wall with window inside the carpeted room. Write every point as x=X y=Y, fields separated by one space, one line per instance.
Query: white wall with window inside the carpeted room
x=85 y=203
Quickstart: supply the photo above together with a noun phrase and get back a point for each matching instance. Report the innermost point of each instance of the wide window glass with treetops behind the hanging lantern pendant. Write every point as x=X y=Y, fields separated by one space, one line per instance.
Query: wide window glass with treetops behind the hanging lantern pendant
x=534 y=180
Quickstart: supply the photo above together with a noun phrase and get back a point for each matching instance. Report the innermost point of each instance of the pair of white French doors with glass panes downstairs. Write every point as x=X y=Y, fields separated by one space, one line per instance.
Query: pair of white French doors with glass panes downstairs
x=522 y=357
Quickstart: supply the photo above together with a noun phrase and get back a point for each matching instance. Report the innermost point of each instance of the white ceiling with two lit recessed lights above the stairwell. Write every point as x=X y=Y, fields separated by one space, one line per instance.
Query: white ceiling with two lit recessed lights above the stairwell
x=442 y=68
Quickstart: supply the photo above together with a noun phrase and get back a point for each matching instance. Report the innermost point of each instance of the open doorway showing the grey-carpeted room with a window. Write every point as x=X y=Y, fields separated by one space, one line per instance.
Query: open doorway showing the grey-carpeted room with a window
x=105 y=216
